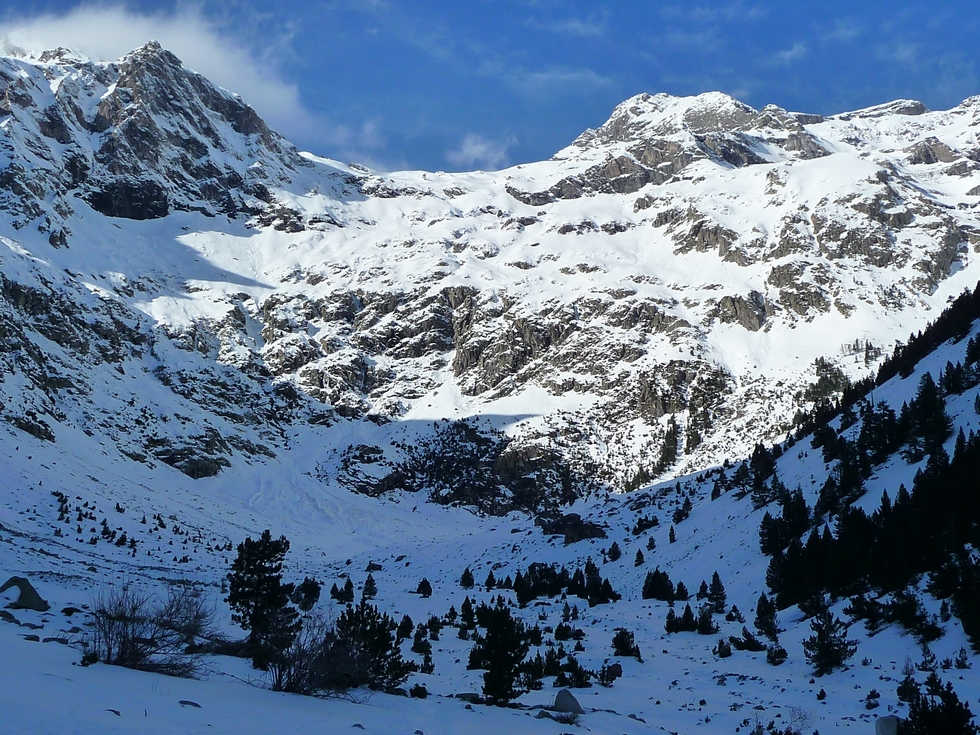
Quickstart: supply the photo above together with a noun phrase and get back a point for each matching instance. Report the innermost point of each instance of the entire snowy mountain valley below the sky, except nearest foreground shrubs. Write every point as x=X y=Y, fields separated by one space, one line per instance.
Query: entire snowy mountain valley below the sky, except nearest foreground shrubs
x=702 y=342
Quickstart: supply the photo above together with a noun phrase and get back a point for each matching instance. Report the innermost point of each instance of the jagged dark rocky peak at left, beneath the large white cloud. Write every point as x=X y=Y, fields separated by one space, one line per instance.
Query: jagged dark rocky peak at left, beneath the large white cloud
x=136 y=138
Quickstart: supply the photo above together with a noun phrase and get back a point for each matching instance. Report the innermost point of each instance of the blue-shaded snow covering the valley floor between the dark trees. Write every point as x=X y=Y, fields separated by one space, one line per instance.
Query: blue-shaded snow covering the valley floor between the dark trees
x=410 y=541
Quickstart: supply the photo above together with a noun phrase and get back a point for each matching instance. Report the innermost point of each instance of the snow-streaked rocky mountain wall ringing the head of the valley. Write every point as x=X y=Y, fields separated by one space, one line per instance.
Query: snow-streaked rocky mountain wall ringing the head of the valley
x=182 y=284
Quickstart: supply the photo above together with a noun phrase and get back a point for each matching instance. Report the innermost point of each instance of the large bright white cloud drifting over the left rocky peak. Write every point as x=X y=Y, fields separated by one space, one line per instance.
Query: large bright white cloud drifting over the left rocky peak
x=107 y=32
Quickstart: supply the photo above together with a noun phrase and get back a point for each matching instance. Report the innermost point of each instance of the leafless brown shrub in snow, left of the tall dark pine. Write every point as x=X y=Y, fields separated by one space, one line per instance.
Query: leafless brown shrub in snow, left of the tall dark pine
x=133 y=628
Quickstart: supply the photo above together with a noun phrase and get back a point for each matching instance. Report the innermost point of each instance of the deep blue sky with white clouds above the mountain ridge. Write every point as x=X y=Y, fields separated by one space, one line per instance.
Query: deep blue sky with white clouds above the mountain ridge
x=489 y=83
